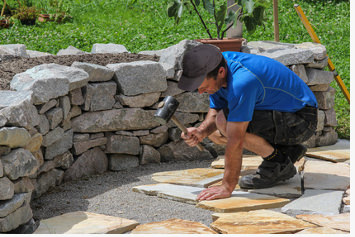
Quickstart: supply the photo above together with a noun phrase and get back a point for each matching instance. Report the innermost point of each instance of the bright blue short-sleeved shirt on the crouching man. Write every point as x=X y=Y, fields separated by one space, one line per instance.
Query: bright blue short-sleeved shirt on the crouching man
x=256 y=82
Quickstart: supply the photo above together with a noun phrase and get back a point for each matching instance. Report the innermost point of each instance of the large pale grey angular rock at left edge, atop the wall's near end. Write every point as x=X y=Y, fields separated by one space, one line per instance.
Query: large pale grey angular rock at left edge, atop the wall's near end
x=18 y=112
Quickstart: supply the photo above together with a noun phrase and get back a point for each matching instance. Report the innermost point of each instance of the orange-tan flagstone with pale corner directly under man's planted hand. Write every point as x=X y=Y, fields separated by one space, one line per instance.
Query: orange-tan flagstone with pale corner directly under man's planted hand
x=243 y=201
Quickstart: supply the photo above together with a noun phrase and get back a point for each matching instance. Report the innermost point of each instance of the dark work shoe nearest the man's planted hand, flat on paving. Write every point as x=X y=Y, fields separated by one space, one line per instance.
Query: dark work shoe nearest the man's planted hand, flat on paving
x=269 y=173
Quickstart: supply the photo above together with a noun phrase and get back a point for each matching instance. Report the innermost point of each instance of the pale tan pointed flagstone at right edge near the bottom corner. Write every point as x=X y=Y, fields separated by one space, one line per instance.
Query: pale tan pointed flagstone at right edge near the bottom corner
x=339 y=222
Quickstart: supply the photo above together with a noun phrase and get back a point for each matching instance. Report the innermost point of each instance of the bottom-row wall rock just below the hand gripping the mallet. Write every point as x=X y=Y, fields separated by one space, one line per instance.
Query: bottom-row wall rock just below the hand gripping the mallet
x=181 y=151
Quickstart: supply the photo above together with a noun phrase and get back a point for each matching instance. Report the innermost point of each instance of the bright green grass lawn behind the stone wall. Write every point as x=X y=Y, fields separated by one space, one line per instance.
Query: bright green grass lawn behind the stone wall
x=145 y=26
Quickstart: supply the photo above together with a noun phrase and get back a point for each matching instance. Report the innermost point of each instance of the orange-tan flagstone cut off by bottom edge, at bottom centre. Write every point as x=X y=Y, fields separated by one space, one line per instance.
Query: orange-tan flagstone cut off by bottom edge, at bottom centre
x=173 y=226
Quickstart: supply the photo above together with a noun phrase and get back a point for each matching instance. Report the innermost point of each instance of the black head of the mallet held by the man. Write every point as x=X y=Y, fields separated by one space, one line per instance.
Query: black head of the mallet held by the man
x=166 y=109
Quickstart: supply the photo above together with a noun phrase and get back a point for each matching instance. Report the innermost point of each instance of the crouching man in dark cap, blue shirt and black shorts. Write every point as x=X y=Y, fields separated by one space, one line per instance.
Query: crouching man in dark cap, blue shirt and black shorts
x=256 y=103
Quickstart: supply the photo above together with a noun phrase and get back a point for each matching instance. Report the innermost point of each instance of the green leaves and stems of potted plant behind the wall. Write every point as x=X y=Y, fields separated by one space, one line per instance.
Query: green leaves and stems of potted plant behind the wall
x=250 y=12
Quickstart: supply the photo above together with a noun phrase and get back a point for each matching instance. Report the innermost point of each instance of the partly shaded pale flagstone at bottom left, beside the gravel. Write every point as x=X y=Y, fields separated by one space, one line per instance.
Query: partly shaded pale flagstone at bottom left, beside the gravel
x=80 y=222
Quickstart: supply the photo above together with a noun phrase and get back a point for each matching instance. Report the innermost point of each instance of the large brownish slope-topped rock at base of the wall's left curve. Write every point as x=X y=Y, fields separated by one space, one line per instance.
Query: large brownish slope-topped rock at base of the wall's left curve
x=93 y=161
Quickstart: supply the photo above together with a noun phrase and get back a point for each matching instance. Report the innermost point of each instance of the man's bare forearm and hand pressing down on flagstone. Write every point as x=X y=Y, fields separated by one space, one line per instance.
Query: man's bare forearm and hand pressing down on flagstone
x=233 y=162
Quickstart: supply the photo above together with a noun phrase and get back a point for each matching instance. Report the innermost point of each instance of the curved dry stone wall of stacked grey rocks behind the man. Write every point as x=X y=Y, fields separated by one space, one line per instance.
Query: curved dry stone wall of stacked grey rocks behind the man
x=61 y=123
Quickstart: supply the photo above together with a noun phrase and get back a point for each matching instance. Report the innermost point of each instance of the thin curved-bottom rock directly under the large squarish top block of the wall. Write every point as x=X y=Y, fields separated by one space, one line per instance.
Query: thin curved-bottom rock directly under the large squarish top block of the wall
x=139 y=101
